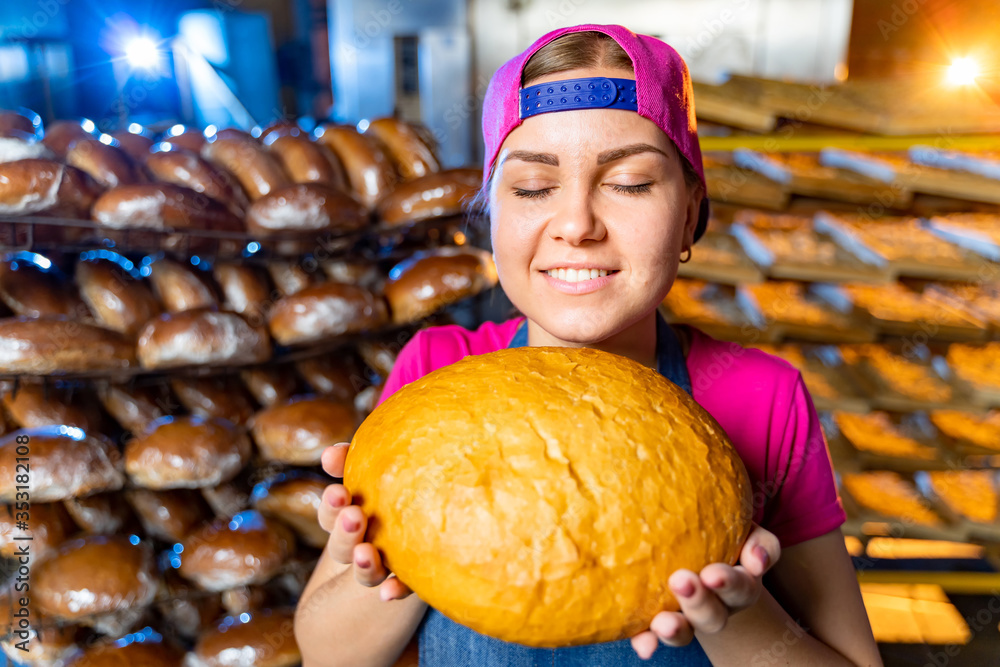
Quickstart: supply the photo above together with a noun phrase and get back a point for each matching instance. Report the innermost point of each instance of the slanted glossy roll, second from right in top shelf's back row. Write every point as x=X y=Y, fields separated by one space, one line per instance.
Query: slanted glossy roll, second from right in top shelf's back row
x=369 y=171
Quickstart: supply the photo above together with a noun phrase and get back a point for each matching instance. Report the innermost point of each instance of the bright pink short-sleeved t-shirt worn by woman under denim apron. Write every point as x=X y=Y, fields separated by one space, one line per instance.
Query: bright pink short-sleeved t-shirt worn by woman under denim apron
x=758 y=399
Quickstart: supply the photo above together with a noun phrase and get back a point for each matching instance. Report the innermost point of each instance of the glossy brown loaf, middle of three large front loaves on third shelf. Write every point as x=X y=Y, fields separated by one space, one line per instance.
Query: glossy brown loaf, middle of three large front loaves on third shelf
x=186 y=453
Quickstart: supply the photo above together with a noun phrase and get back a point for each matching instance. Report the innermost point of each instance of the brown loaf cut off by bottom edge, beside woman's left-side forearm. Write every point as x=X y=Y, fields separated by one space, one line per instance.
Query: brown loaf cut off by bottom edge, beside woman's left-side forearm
x=267 y=639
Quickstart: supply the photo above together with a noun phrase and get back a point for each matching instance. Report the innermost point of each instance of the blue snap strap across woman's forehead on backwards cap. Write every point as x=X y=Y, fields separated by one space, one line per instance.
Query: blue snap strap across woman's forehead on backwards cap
x=597 y=92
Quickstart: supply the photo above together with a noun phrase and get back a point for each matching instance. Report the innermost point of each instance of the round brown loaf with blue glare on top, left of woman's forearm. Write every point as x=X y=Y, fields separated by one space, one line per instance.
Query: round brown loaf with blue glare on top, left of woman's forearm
x=247 y=549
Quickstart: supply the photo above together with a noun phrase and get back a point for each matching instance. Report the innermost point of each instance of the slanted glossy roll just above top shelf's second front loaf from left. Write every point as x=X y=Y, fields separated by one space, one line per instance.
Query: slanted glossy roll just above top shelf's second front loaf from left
x=180 y=167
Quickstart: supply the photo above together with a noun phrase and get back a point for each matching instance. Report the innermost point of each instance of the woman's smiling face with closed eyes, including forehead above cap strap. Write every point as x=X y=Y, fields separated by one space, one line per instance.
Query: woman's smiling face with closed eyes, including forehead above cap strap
x=578 y=194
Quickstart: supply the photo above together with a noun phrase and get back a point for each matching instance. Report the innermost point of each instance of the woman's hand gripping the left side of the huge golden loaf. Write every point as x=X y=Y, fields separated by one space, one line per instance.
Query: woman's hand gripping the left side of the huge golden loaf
x=346 y=524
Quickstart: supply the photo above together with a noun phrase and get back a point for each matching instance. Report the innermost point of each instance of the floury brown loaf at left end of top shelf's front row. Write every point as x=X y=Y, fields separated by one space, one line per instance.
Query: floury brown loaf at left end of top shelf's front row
x=45 y=187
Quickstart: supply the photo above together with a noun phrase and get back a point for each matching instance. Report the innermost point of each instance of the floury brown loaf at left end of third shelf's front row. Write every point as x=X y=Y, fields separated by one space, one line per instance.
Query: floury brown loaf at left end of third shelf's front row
x=65 y=462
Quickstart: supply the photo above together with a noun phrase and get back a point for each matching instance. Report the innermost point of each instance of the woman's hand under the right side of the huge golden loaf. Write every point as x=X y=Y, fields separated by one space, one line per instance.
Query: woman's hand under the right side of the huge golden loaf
x=708 y=599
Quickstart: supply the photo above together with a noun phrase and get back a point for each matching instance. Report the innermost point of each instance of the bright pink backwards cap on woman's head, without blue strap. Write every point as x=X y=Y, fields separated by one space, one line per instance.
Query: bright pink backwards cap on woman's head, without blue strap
x=663 y=94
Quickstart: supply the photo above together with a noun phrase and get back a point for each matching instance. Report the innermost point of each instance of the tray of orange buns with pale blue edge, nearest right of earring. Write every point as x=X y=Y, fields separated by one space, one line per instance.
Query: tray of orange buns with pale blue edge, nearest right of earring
x=788 y=247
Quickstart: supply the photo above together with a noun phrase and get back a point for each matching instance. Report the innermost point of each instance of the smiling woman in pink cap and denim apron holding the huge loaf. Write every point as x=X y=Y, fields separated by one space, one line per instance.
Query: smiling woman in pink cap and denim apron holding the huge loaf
x=596 y=190
